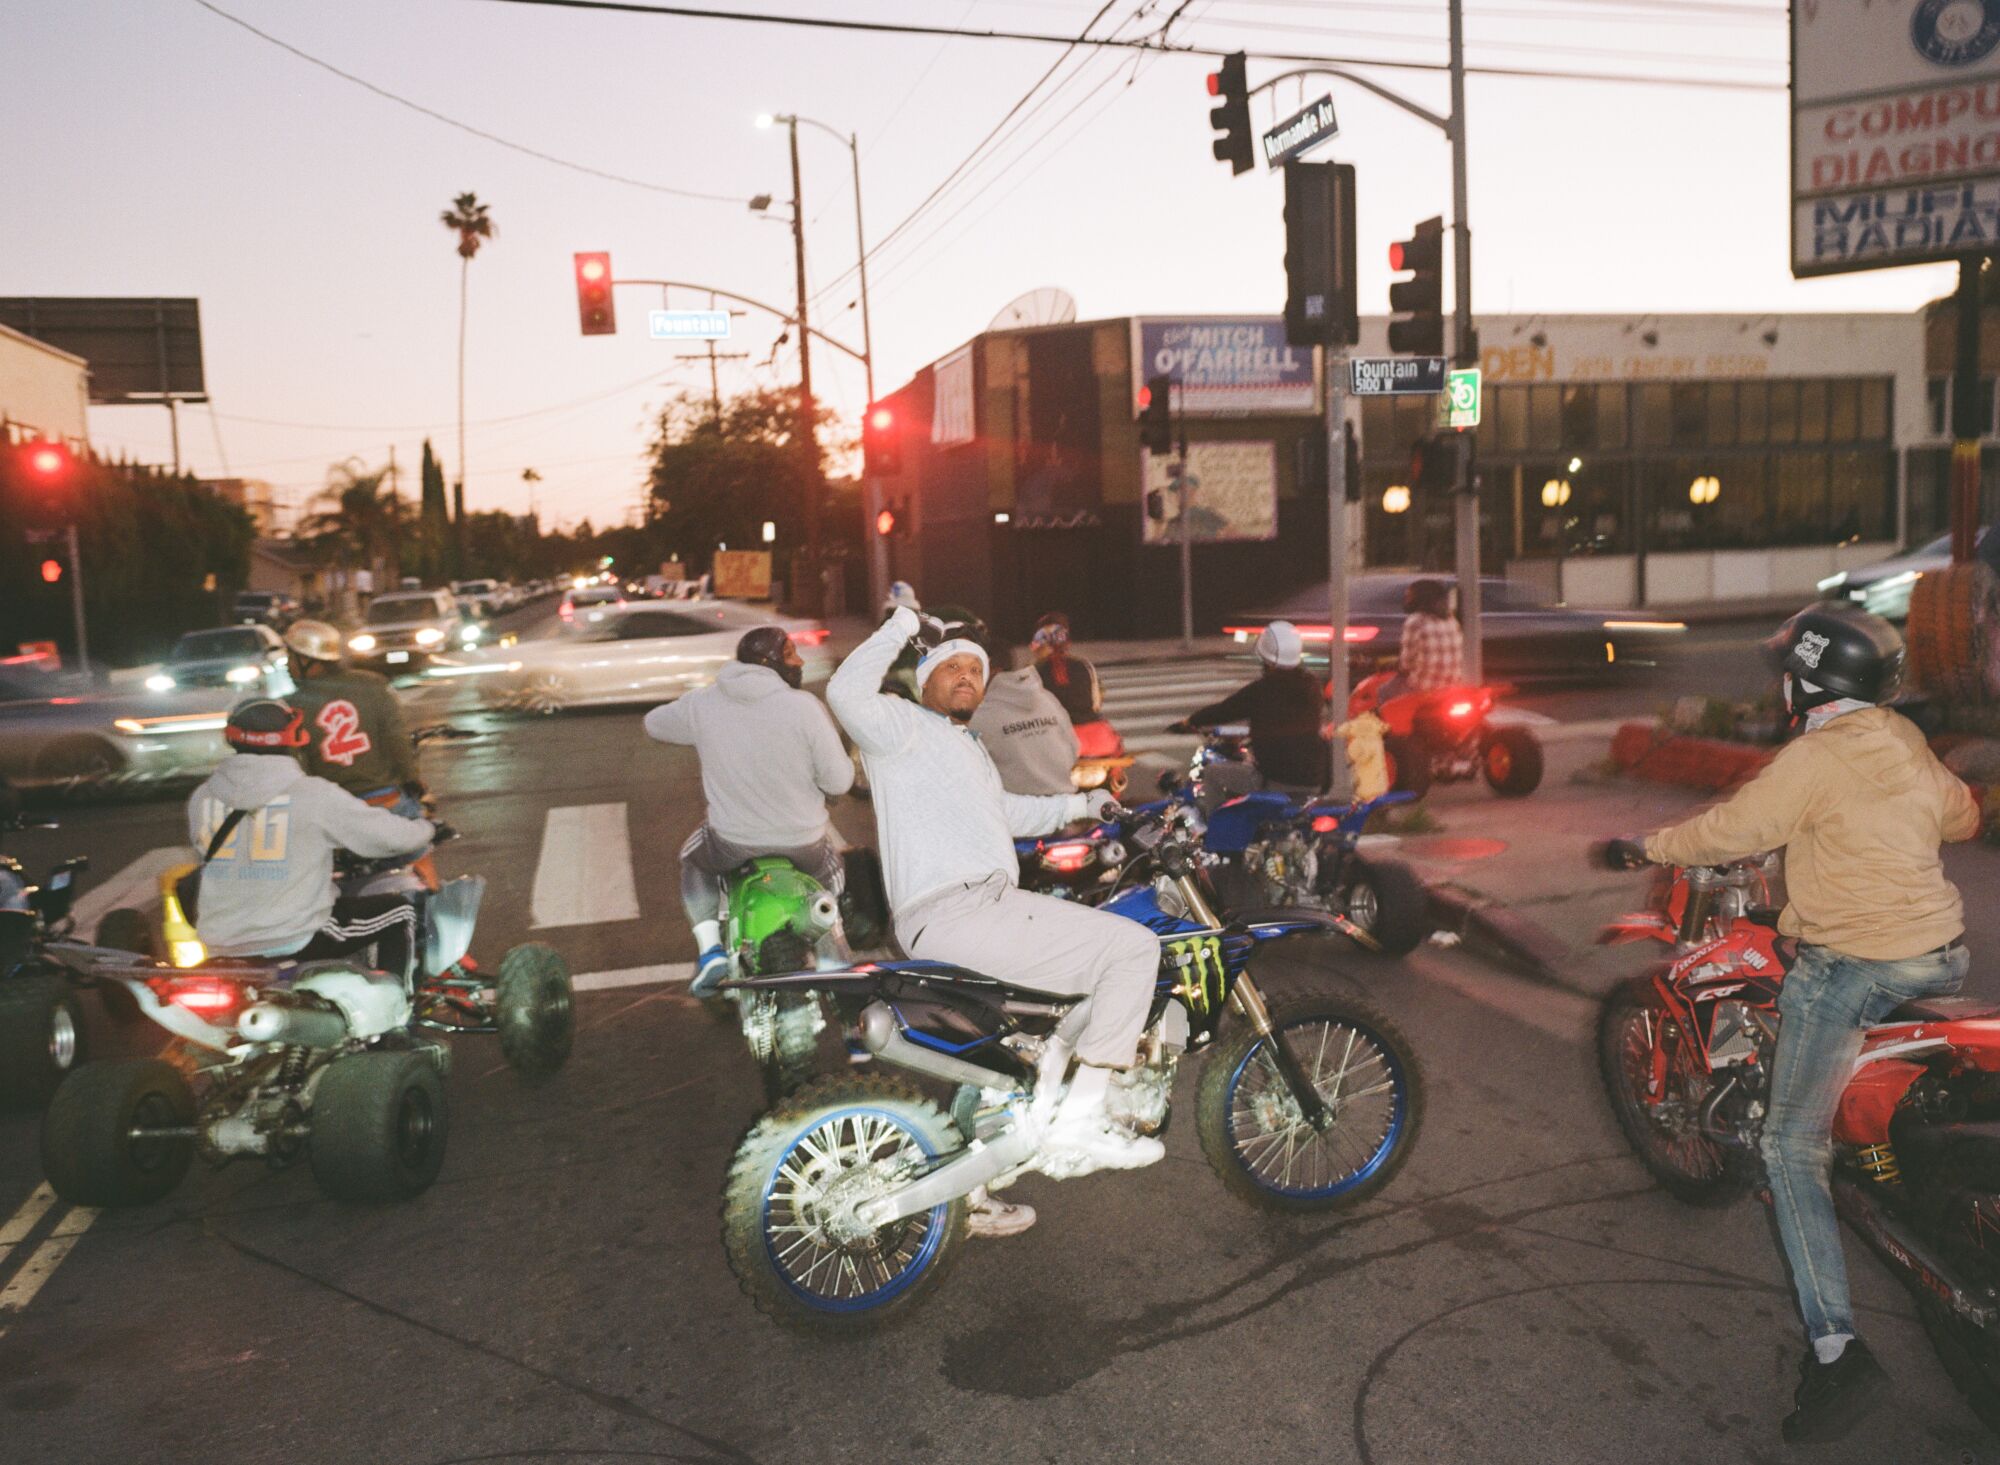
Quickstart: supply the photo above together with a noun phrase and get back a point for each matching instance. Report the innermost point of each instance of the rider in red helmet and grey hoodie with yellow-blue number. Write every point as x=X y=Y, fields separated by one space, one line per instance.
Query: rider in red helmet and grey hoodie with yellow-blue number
x=269 y=832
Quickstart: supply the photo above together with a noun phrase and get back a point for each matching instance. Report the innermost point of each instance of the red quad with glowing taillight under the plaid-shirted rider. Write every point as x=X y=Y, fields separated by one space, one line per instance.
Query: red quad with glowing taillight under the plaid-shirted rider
x=1449 y=738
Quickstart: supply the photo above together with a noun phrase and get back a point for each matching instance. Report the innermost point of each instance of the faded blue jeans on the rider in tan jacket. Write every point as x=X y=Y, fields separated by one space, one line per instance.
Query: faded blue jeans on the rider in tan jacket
x=1829 y=1000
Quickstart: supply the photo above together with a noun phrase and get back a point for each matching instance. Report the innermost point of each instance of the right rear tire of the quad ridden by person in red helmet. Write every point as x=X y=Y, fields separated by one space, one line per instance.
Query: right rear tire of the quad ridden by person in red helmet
x=379 y=1126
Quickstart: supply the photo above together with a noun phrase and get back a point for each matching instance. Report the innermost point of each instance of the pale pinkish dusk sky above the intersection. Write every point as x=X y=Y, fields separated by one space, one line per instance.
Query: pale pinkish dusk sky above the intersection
x=161 y=149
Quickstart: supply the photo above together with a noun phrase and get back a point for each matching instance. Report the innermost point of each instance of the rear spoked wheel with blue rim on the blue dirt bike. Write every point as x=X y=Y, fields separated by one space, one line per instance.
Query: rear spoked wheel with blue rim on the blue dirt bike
x=789 y=1212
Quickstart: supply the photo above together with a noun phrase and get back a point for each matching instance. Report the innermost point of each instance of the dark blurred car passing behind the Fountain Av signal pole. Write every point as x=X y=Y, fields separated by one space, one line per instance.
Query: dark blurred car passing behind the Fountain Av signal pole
x=1523 y=635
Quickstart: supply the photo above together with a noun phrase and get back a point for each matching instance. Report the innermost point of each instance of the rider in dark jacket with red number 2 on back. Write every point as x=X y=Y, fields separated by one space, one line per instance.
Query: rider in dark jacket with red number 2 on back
x=355 y=731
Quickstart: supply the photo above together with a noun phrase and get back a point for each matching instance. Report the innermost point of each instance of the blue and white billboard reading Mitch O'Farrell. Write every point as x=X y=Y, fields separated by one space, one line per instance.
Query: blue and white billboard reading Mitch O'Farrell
x=1227 y=367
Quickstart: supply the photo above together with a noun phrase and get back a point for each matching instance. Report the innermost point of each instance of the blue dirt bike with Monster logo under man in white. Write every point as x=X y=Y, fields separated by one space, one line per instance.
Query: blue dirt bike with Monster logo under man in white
x=847 y=1202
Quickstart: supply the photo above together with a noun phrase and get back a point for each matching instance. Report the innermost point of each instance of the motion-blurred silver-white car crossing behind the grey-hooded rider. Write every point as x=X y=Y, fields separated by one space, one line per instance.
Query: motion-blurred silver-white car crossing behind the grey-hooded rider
x=635 y=653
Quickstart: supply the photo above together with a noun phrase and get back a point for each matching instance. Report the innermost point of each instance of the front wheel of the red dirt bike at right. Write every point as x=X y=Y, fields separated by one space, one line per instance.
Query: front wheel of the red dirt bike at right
x=1663 y=1128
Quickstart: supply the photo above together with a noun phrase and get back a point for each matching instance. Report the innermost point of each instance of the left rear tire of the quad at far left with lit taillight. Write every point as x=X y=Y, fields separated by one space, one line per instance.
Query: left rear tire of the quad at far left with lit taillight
x=89 y=1152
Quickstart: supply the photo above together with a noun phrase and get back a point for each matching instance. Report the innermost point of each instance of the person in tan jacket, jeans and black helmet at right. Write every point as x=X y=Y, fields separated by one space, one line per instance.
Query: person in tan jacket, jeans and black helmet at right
x=1859 y=806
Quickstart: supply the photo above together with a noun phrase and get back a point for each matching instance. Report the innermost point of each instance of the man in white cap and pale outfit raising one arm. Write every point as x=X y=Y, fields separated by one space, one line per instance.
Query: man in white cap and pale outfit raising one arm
x=947 y=832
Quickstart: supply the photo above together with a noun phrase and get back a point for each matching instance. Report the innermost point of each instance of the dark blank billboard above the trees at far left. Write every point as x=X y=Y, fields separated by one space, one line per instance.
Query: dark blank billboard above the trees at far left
x=139 y=349
